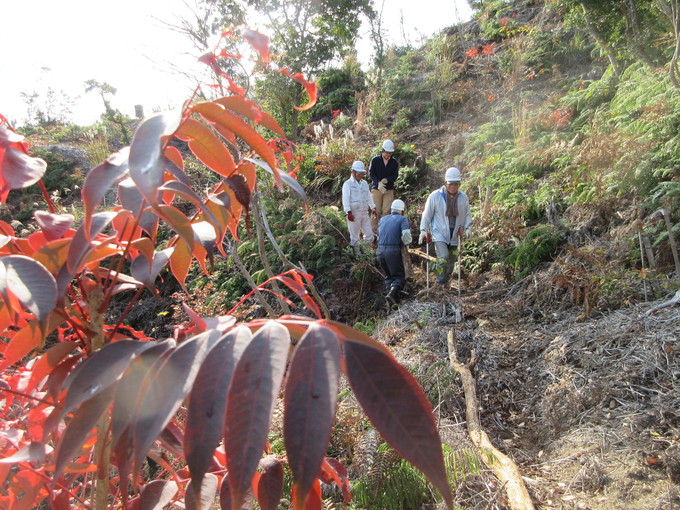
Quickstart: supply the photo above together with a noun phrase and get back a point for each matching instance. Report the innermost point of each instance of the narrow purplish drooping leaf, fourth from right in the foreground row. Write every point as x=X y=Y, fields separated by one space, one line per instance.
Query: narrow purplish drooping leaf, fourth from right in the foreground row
x=208 y=401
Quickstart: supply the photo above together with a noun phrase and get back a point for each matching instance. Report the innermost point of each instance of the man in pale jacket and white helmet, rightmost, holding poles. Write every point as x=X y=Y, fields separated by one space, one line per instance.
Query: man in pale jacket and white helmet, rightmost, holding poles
x=446 y=219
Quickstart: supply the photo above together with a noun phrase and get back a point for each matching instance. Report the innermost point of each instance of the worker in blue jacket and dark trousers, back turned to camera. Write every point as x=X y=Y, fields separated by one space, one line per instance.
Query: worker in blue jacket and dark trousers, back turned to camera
x=393 y=231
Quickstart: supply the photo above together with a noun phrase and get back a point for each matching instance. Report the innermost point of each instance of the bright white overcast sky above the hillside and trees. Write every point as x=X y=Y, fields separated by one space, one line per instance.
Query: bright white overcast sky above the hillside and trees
x=60 y=45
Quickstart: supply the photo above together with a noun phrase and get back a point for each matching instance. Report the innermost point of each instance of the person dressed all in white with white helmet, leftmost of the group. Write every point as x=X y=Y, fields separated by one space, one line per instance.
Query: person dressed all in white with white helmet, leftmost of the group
x=357 y=203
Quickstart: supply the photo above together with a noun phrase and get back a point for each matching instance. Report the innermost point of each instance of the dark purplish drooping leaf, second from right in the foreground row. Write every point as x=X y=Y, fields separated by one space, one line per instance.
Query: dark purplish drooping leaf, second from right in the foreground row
x=310 y=402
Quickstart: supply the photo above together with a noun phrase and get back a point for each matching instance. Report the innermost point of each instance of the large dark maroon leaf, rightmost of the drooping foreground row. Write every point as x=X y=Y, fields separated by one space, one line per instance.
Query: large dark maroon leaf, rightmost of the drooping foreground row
x=397 y=406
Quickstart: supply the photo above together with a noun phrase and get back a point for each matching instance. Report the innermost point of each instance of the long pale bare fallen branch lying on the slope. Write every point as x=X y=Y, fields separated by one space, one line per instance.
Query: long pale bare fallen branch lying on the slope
x=499 y=463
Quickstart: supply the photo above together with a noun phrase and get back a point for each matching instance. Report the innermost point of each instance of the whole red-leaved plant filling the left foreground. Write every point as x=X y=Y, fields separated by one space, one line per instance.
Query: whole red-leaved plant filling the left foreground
x=82 y=415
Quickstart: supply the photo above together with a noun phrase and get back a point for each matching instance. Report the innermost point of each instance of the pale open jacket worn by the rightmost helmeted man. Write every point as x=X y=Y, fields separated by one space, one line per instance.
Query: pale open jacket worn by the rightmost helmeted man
x=435 y=220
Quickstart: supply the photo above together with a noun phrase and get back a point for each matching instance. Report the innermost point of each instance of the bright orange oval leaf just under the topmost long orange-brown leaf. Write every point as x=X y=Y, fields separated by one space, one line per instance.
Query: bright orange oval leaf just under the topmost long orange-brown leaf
x=207 y=147
